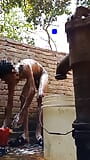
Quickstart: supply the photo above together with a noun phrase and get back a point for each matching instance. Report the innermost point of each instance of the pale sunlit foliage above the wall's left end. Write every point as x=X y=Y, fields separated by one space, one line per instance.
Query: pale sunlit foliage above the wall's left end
x=13 y=25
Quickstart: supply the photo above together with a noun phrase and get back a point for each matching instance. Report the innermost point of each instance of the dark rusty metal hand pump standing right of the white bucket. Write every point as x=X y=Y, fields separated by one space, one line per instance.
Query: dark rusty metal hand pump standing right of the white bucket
x=78 y=36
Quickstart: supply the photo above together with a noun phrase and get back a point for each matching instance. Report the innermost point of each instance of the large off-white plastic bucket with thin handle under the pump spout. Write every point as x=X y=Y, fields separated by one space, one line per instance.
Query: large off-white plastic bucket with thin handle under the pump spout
x=58 y=116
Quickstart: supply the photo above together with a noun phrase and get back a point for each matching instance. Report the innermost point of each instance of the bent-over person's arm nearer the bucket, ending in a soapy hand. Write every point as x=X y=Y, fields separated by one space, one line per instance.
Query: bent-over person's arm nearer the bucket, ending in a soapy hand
x=26 y=96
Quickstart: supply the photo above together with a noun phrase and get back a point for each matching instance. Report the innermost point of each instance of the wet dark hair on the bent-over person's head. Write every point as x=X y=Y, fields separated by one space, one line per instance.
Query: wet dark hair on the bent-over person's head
x=6 y=67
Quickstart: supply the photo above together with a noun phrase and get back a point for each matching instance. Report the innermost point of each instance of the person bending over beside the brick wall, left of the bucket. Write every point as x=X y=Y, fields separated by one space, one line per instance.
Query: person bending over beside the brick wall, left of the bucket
x=36 y=78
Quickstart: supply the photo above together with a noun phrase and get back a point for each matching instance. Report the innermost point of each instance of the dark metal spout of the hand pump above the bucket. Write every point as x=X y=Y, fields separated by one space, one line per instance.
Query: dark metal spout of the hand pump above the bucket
x=62 y=68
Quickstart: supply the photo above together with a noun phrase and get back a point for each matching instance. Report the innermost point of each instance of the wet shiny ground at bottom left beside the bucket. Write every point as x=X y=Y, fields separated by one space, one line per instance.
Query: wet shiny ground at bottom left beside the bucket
x=27 y=152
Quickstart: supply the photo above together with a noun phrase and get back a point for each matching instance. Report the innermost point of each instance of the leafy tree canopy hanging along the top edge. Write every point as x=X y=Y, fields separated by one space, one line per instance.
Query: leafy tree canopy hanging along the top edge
x=41 y=12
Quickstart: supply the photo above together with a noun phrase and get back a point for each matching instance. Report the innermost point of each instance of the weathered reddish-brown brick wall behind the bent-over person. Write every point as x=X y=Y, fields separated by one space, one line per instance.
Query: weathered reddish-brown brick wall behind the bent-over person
x=15 y=51
